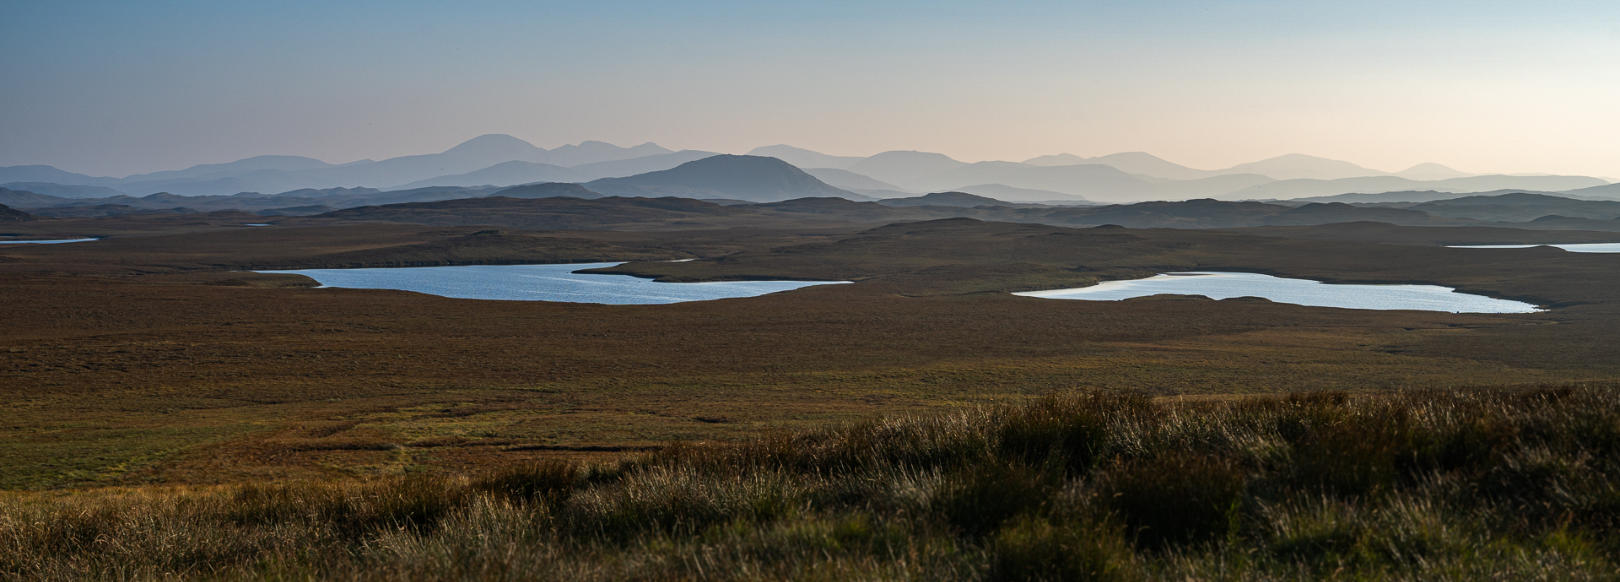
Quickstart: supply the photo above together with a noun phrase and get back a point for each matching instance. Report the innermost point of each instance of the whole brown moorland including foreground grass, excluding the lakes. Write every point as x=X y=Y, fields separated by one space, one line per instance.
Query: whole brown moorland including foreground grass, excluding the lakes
x=158 y=392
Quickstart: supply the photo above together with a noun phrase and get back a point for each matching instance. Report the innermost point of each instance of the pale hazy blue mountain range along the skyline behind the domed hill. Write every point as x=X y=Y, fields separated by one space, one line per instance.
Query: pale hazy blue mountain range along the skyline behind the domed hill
x=506 y=161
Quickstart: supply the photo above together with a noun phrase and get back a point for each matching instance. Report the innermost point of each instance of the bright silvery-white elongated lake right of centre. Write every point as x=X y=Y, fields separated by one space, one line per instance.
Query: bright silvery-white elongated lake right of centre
x=1292 y=291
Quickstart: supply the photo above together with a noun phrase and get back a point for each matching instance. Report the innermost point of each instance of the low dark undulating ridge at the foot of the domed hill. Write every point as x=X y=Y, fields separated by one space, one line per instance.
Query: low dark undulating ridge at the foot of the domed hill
x=684 y=213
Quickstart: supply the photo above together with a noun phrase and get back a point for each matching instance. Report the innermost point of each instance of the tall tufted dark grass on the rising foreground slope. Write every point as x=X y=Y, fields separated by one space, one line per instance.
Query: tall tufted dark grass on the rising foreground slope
x=1469 y=484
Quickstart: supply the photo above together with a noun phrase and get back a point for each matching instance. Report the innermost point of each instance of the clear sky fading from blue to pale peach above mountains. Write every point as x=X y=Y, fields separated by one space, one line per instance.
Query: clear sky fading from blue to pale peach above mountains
x=116 y=88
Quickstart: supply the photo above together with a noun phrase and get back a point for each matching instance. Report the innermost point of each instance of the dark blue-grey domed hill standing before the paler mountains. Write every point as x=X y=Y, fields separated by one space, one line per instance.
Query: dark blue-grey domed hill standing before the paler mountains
x=735 y=178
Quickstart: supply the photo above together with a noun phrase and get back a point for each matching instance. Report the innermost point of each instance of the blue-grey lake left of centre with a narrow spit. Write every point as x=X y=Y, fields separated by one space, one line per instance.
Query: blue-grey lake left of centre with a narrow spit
x=545 y=283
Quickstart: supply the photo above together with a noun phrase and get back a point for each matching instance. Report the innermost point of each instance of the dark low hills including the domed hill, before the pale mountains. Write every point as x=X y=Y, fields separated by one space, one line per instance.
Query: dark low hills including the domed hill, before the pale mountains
x=741 y=190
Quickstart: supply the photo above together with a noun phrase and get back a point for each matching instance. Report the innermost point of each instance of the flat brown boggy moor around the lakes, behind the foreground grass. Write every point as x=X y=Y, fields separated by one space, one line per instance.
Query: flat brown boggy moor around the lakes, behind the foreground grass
x=150 y=357
